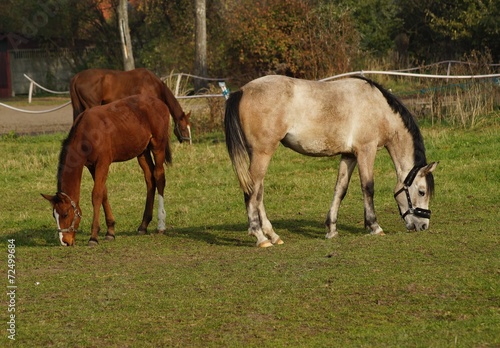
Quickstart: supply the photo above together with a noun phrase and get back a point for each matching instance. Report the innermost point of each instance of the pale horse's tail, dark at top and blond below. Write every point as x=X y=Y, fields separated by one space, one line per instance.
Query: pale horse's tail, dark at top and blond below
x=236 y=142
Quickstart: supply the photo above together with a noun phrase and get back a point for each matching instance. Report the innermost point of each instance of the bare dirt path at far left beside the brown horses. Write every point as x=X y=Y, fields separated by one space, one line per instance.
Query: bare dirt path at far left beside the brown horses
x=23 y=123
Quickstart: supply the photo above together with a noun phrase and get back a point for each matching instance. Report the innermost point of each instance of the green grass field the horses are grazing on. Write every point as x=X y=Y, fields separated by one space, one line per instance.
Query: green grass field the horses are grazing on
x=205 y=284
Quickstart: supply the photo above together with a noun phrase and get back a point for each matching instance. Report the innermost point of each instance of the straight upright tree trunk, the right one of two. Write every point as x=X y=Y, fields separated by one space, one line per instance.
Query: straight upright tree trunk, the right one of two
x=201 y=44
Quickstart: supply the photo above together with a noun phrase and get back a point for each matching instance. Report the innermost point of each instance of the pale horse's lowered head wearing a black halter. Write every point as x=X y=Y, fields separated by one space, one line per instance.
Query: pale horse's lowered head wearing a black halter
x=414 y=203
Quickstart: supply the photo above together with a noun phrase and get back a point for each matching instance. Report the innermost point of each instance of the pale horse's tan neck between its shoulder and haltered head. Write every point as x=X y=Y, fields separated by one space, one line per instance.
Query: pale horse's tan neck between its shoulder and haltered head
x=402 y=151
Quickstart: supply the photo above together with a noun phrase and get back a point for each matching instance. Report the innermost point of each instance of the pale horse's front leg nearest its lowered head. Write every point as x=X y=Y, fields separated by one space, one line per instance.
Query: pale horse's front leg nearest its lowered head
x=366 y=164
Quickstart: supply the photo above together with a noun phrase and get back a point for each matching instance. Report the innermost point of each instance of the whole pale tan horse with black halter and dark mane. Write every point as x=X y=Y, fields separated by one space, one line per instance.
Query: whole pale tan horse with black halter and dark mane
x=352 y=117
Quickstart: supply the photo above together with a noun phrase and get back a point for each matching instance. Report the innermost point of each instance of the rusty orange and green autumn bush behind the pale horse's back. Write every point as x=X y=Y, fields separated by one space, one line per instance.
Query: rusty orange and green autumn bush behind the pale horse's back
x=290 y=37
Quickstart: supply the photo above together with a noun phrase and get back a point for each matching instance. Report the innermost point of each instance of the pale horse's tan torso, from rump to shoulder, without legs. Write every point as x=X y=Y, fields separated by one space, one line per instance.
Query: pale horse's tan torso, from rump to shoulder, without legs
x=316 y=118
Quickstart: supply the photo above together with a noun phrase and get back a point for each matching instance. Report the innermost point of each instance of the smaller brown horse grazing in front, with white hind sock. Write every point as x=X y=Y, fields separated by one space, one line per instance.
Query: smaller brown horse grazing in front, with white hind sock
x=136 y=126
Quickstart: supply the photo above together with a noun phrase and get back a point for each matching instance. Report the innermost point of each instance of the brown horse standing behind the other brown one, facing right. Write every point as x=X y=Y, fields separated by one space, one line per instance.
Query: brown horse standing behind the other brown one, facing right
x=95 y=87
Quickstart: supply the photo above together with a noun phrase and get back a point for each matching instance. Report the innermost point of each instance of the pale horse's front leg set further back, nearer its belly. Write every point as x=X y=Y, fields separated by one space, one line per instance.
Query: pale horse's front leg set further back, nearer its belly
x=346 y=167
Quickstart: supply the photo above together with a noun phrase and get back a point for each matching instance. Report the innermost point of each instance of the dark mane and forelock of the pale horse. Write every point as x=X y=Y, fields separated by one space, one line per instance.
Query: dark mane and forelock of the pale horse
x=409 y=121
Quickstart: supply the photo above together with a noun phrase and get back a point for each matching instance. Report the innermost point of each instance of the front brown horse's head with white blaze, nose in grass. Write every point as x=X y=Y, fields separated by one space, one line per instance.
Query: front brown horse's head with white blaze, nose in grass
x=67 y=215
